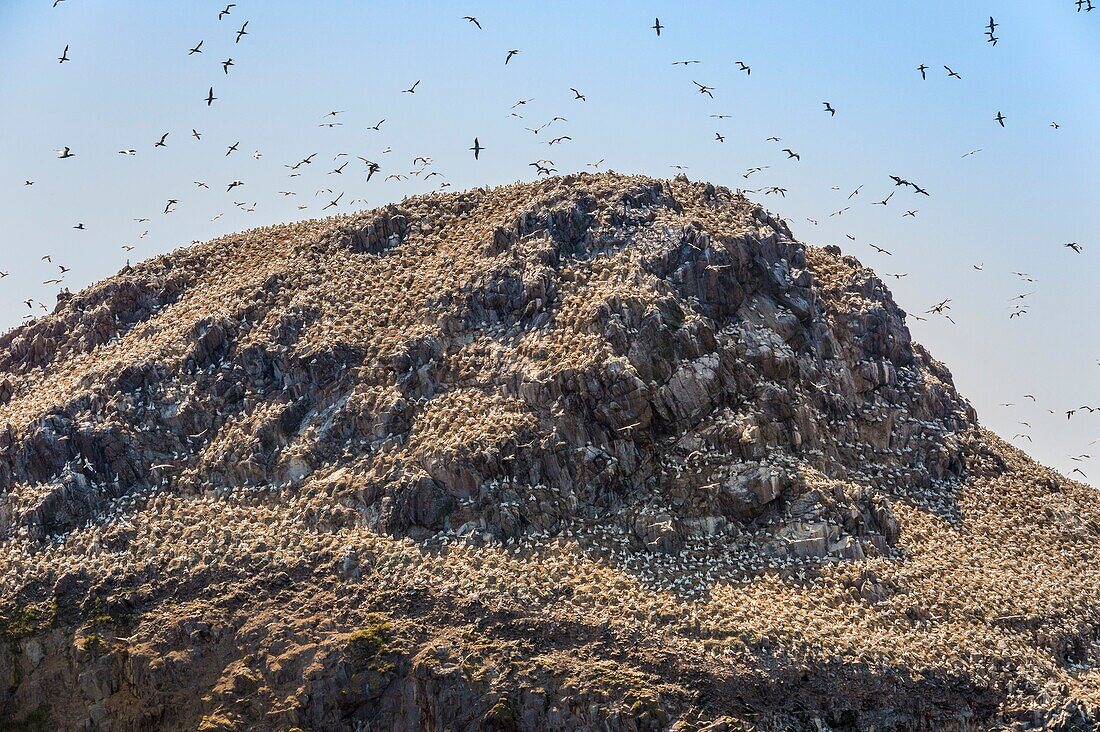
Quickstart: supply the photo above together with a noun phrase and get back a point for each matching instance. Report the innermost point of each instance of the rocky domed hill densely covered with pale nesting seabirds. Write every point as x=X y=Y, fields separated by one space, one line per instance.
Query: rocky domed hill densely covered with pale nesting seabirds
x=593 y=453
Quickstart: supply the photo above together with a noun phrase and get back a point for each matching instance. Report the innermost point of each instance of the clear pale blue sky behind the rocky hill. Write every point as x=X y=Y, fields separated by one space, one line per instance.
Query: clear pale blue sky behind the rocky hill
x=1008 y=209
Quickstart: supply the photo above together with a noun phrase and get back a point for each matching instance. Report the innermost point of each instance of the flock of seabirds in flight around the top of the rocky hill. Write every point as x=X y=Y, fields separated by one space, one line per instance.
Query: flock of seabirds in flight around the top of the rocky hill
x=423 y=166
